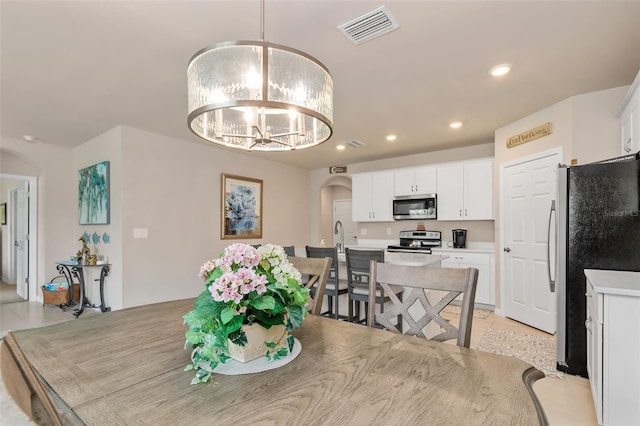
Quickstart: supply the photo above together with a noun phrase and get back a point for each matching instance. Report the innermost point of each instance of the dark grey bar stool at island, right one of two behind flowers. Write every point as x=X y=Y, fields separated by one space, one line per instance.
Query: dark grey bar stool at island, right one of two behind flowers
x=358 y=263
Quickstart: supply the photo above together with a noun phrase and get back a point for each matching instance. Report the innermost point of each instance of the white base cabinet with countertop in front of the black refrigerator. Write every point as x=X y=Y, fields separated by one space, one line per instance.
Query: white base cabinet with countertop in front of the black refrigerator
x=613 y=345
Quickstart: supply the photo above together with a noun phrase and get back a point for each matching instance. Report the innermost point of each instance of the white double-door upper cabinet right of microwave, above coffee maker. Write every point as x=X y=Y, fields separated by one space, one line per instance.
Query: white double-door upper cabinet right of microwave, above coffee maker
x=465 y=190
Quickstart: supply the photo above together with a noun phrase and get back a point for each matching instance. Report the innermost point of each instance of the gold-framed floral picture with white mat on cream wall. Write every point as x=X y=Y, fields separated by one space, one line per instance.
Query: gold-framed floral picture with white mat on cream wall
x=241 y=203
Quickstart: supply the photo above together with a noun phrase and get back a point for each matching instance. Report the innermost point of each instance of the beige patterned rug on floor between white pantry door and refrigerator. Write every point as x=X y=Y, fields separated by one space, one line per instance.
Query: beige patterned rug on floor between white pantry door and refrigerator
x=539 y=351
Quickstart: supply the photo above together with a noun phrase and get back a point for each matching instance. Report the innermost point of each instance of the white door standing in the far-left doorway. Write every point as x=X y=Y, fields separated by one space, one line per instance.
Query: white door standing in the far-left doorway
x=22 y=240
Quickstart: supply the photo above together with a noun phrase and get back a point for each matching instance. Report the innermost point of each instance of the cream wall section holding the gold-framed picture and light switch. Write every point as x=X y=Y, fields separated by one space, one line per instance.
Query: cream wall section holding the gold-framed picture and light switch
x=173 y=188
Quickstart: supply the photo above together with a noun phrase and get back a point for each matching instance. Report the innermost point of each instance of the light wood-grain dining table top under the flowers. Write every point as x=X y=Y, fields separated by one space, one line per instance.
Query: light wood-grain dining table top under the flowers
x=127 y=367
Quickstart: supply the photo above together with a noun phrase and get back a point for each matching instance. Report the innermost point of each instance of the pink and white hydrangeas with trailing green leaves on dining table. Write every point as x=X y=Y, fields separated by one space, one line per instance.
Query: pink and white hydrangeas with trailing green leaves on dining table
x=245 y=286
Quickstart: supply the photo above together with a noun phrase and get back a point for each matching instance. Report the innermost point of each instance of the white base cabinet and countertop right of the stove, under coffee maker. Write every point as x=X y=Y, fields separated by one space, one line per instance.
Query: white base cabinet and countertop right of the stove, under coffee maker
x=482 y=261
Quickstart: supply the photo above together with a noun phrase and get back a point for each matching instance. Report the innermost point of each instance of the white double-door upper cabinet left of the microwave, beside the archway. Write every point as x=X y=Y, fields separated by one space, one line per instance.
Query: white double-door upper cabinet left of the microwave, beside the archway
x=372 y=197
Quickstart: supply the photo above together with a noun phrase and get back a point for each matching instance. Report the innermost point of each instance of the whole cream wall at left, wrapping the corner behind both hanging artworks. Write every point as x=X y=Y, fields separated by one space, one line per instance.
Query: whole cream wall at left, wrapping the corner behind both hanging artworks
x=169 y=186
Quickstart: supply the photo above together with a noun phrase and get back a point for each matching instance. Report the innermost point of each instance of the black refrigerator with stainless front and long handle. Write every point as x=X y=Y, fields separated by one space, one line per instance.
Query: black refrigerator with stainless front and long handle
x=597 y=227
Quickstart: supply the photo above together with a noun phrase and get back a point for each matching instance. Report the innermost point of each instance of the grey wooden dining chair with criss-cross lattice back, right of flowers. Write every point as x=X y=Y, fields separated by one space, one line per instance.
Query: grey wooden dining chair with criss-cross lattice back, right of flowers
x=419 y=283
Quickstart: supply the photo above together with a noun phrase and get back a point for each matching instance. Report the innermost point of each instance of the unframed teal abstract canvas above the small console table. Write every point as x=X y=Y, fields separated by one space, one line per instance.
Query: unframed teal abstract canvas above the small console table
x=93 y=194
